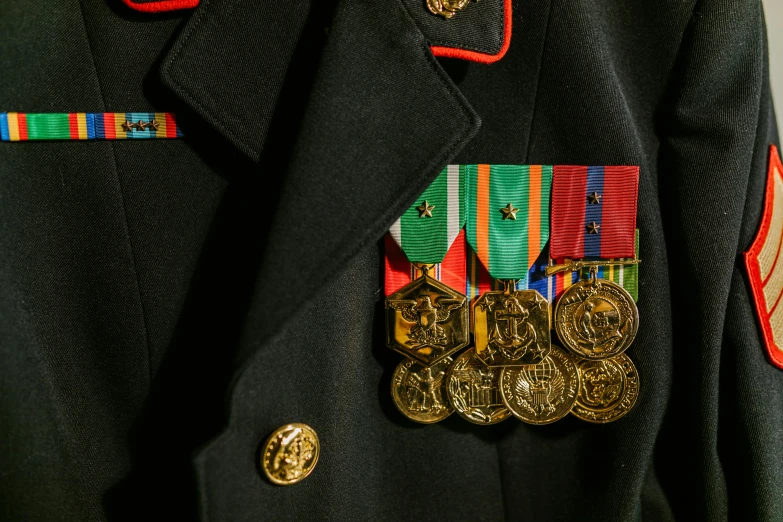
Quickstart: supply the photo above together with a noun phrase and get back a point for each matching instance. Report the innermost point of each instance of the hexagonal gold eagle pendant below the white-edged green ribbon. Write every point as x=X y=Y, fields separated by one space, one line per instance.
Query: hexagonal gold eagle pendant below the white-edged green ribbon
x=427 y=321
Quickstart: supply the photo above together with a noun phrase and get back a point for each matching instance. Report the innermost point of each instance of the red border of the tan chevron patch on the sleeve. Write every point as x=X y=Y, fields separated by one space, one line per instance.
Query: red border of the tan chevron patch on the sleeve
x=763 y=309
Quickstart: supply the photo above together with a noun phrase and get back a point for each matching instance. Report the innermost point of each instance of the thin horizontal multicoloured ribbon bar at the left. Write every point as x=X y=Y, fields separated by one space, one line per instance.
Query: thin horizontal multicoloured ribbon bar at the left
x=20 y=126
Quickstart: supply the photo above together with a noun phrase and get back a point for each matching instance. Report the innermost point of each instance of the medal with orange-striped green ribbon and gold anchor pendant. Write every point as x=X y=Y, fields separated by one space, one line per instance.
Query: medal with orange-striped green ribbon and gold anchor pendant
x=508 y=227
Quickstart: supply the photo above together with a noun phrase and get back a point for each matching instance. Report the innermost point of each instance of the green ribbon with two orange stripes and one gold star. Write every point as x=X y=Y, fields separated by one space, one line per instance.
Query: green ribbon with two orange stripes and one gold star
x=508 y=216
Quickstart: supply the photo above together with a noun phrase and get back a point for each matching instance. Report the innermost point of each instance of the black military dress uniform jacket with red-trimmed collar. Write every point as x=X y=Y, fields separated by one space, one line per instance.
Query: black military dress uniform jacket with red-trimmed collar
x=166 y=304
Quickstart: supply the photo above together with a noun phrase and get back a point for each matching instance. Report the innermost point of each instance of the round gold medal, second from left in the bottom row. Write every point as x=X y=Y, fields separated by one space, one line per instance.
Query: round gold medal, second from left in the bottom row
x=473 y=390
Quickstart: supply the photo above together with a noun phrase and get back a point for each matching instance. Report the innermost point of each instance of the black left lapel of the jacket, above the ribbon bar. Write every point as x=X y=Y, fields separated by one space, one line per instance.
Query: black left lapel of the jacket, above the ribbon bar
x=230 y=61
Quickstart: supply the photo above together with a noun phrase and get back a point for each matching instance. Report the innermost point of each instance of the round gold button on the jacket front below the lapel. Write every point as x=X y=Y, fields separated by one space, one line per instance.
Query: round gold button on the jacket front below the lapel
x=290 y=454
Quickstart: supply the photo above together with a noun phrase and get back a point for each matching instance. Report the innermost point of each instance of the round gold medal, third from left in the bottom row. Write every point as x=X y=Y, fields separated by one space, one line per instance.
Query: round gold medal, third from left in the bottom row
x=541 y=393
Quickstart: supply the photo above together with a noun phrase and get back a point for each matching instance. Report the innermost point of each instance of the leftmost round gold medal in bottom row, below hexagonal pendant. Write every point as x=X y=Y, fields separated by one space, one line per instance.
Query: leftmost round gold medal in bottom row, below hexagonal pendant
x=419 y=392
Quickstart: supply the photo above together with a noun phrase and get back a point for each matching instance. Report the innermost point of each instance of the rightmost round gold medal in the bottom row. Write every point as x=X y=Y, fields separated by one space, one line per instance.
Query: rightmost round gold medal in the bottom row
x=608 y=389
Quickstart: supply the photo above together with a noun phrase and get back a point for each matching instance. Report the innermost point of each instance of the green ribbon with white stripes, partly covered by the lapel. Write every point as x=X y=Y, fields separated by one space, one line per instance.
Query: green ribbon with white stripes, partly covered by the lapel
x=426 y=231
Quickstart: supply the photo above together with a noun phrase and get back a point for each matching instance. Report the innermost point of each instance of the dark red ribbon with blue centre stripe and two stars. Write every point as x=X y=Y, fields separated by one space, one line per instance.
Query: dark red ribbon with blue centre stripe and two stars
x=594 y=212
